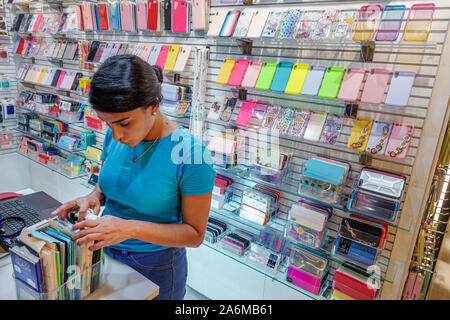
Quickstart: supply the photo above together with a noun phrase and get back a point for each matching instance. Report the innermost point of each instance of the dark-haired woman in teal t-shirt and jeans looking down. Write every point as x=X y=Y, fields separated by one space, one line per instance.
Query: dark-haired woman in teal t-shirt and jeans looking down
x=156 y=180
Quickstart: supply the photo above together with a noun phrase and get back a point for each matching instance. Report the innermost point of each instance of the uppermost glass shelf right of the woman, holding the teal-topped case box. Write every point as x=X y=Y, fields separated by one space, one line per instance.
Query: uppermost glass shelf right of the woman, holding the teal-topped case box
x=293 y=190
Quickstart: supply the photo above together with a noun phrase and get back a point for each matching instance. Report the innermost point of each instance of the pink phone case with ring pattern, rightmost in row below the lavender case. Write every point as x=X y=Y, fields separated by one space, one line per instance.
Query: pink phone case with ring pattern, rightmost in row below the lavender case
x=401 y=135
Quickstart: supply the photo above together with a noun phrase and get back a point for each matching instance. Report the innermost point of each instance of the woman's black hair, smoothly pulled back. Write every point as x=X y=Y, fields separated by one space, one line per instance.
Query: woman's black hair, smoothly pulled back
x=124 y=83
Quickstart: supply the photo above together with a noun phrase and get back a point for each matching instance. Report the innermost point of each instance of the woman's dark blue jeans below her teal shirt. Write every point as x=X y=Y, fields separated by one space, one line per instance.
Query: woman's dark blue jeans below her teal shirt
x=166 y=268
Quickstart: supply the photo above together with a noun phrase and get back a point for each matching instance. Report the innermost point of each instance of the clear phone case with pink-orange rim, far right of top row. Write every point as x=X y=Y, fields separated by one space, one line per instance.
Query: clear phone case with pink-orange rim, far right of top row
x=419 y=21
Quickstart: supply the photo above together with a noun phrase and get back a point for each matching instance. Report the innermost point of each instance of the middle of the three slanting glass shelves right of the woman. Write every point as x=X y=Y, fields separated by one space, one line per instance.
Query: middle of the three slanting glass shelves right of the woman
x=276 y=227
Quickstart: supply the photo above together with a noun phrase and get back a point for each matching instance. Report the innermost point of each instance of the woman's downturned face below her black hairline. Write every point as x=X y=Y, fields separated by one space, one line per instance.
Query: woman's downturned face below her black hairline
x=130 y=127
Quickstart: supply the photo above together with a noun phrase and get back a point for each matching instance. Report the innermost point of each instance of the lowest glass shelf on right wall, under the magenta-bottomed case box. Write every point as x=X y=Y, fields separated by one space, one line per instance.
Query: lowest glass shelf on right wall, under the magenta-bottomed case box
x=279 y=277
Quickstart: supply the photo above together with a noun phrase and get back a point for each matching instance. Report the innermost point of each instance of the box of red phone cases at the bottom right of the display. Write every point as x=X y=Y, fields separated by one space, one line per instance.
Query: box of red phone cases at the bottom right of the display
x=351 y=283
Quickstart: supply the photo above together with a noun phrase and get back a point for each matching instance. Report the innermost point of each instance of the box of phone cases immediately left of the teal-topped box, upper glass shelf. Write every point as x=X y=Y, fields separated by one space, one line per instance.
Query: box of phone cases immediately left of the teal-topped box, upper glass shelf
x=269 y=165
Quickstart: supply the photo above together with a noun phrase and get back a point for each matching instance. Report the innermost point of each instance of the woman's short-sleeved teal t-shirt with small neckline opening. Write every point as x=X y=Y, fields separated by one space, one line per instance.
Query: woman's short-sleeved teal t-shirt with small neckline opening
x=151 y=189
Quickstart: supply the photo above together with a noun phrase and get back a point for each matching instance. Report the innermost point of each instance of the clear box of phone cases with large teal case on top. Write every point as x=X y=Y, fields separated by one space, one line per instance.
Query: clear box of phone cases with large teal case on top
x=323 y=178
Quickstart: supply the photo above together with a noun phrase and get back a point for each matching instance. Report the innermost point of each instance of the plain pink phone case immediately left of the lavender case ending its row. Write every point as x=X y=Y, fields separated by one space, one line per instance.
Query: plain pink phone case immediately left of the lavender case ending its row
x=375 y=86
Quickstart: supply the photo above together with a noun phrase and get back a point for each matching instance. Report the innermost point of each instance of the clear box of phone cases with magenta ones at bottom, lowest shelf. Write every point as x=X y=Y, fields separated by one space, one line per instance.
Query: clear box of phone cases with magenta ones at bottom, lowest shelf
x=308 y=269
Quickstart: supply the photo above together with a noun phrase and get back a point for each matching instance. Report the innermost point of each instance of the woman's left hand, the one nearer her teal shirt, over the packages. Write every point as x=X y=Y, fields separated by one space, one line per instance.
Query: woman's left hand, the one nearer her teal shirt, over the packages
x=107 y=230
